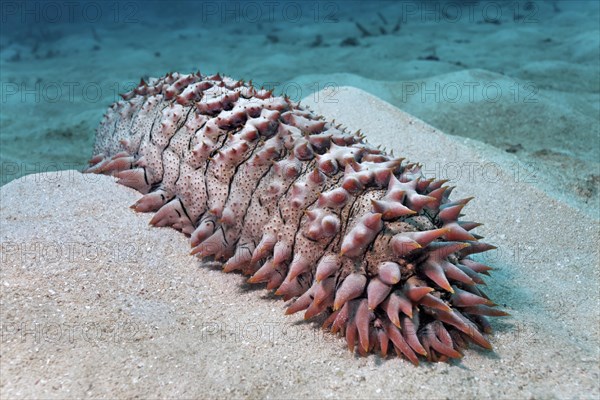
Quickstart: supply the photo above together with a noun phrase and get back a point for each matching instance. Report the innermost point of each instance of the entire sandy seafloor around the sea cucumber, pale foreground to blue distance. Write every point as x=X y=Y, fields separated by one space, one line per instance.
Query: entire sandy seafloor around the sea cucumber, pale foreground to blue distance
x=513 y=85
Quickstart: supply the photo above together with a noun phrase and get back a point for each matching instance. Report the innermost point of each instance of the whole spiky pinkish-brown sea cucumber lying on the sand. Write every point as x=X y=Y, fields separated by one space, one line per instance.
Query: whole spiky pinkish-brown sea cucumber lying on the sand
x=270 y=189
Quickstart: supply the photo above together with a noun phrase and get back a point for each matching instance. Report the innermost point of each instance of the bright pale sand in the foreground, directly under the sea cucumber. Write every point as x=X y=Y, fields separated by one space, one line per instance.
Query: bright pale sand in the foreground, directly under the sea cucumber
x=128 y=313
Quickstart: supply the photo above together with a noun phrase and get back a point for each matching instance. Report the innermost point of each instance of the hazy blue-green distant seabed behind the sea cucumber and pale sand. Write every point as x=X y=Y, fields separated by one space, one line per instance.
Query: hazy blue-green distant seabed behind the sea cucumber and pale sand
x=523 y=76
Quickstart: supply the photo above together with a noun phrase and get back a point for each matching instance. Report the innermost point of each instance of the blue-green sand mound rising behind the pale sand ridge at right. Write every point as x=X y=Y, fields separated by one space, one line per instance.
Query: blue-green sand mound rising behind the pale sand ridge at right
x=552 y=134
